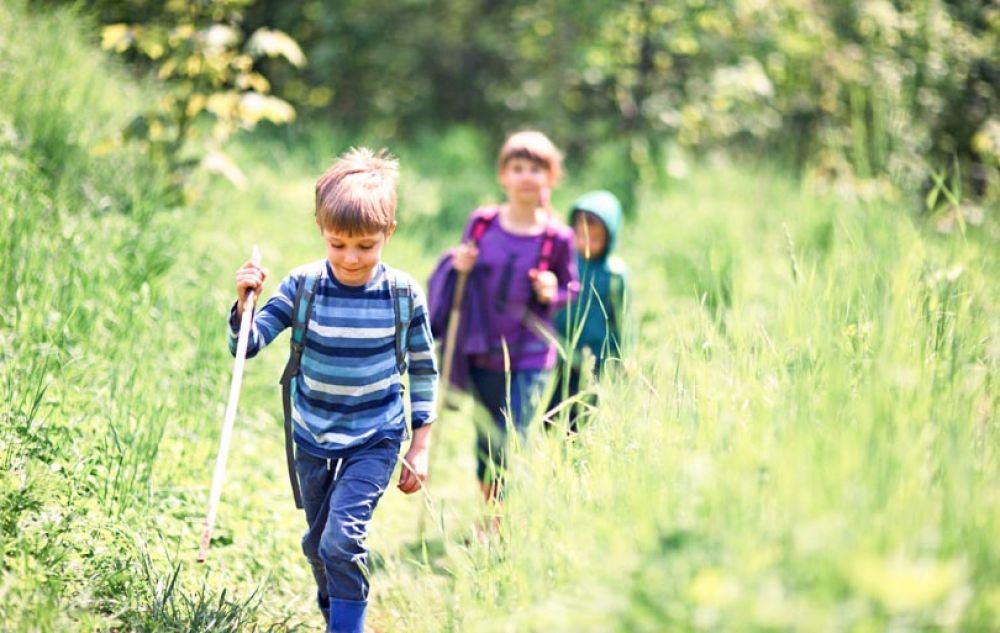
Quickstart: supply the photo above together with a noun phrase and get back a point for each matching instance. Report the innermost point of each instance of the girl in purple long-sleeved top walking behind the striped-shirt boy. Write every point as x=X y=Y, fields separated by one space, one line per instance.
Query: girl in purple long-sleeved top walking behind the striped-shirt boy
x=521 y=264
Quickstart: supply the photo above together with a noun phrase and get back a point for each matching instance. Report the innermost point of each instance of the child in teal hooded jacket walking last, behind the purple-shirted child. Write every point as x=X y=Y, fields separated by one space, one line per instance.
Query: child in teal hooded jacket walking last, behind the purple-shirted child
x=595 y=317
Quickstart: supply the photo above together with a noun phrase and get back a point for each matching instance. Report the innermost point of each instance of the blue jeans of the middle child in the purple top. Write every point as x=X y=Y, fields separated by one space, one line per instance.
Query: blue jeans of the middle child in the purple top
x=526 y=387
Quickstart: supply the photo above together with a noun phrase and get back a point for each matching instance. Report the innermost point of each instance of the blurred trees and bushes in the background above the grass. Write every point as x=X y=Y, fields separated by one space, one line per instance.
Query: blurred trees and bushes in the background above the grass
x=877 y=95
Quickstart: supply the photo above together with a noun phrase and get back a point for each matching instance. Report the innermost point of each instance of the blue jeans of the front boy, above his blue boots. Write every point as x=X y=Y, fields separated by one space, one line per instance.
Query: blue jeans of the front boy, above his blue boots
x=339 y=497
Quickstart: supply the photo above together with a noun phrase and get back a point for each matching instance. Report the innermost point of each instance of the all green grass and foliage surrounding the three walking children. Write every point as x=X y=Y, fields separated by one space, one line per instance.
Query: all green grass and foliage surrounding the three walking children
x=808 y=437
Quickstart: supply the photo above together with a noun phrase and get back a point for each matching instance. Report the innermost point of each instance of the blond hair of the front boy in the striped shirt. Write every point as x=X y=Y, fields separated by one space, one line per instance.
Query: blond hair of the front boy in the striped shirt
x=357 y=194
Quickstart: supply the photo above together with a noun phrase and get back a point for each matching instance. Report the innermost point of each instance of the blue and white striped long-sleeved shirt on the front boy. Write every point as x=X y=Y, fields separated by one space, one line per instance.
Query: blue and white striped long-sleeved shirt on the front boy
x=348 y=391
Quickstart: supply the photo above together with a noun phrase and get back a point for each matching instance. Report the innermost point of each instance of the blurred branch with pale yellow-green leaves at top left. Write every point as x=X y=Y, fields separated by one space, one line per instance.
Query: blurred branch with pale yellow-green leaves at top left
x=197 y=49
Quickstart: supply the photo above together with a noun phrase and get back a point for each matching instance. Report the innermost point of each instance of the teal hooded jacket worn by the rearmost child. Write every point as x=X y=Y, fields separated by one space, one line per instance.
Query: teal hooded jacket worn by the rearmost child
x=597 y=314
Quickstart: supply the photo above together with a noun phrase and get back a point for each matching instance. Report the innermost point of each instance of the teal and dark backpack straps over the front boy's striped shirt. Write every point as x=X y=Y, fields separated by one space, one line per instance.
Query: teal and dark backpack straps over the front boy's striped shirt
x=402 y=303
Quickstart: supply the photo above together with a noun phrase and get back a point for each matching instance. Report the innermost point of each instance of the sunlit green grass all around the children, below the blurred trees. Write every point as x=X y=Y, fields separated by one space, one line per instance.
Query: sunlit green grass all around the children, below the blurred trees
x=803 y=437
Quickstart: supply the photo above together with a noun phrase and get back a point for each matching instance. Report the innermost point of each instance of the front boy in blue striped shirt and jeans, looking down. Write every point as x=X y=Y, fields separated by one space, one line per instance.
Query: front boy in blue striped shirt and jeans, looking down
x=346 y=408
